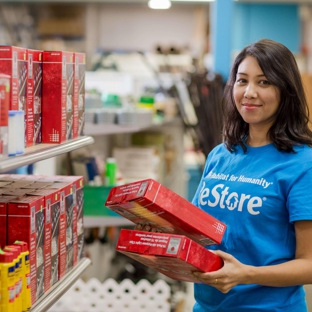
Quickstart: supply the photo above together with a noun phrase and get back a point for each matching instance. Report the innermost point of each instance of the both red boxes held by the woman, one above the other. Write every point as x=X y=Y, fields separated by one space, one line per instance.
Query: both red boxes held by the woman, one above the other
x=179 y=230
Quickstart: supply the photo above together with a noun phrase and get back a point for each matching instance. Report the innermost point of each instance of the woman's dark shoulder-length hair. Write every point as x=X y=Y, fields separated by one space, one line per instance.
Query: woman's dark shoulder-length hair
x=291 y=126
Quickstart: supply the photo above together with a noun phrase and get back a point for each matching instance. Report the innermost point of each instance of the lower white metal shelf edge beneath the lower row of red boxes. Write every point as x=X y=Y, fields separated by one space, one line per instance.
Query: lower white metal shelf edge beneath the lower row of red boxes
x=59 y=288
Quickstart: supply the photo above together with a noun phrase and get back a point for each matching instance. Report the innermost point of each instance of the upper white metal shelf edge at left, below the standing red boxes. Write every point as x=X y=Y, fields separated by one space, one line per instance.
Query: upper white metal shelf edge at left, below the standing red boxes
x=42 y=151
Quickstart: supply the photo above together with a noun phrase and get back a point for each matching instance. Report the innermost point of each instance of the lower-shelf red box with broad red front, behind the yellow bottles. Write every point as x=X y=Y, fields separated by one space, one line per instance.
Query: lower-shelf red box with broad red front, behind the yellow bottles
x=26 y=223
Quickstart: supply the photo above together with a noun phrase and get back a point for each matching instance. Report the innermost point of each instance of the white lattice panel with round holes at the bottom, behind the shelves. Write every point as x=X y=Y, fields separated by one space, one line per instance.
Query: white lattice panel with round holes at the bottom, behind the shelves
x=94 y=296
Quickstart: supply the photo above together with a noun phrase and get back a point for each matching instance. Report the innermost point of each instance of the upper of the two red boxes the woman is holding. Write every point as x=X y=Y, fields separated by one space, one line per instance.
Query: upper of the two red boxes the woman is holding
x=149 y=202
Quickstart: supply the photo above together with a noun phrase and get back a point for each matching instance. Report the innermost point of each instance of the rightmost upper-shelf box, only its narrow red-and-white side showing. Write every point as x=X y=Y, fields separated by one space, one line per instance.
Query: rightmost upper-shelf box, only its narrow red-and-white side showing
x=79 y=94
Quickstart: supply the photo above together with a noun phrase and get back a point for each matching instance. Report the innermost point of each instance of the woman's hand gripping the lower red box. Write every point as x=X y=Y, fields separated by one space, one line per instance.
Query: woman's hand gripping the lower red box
x=231 y=274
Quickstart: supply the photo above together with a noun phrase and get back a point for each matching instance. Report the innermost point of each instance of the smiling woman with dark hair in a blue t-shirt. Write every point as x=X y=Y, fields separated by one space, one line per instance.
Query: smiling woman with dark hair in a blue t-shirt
x=266 y=198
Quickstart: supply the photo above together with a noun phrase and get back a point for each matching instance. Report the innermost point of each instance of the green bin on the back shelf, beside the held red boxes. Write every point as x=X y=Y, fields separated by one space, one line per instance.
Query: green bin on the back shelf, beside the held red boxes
x=94 y=200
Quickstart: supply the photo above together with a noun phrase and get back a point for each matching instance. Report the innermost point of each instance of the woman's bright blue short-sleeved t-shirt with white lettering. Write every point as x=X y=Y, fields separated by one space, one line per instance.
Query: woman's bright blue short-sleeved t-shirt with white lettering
x=258 y=195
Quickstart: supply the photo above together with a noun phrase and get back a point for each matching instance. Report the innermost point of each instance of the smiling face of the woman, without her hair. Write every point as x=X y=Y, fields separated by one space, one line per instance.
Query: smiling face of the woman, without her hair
x=255 y=98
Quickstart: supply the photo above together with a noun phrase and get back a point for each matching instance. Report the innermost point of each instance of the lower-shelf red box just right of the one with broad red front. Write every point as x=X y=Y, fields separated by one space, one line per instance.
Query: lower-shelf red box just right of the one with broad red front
x=51 y=234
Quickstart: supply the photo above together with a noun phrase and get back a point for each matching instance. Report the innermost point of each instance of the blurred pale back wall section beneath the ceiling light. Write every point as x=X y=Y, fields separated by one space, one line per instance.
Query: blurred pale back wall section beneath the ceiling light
x=138 y=28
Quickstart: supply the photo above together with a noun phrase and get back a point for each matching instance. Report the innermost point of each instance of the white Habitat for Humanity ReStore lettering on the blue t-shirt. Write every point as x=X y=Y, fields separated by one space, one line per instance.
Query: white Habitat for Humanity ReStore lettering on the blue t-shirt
x=220 y=195
